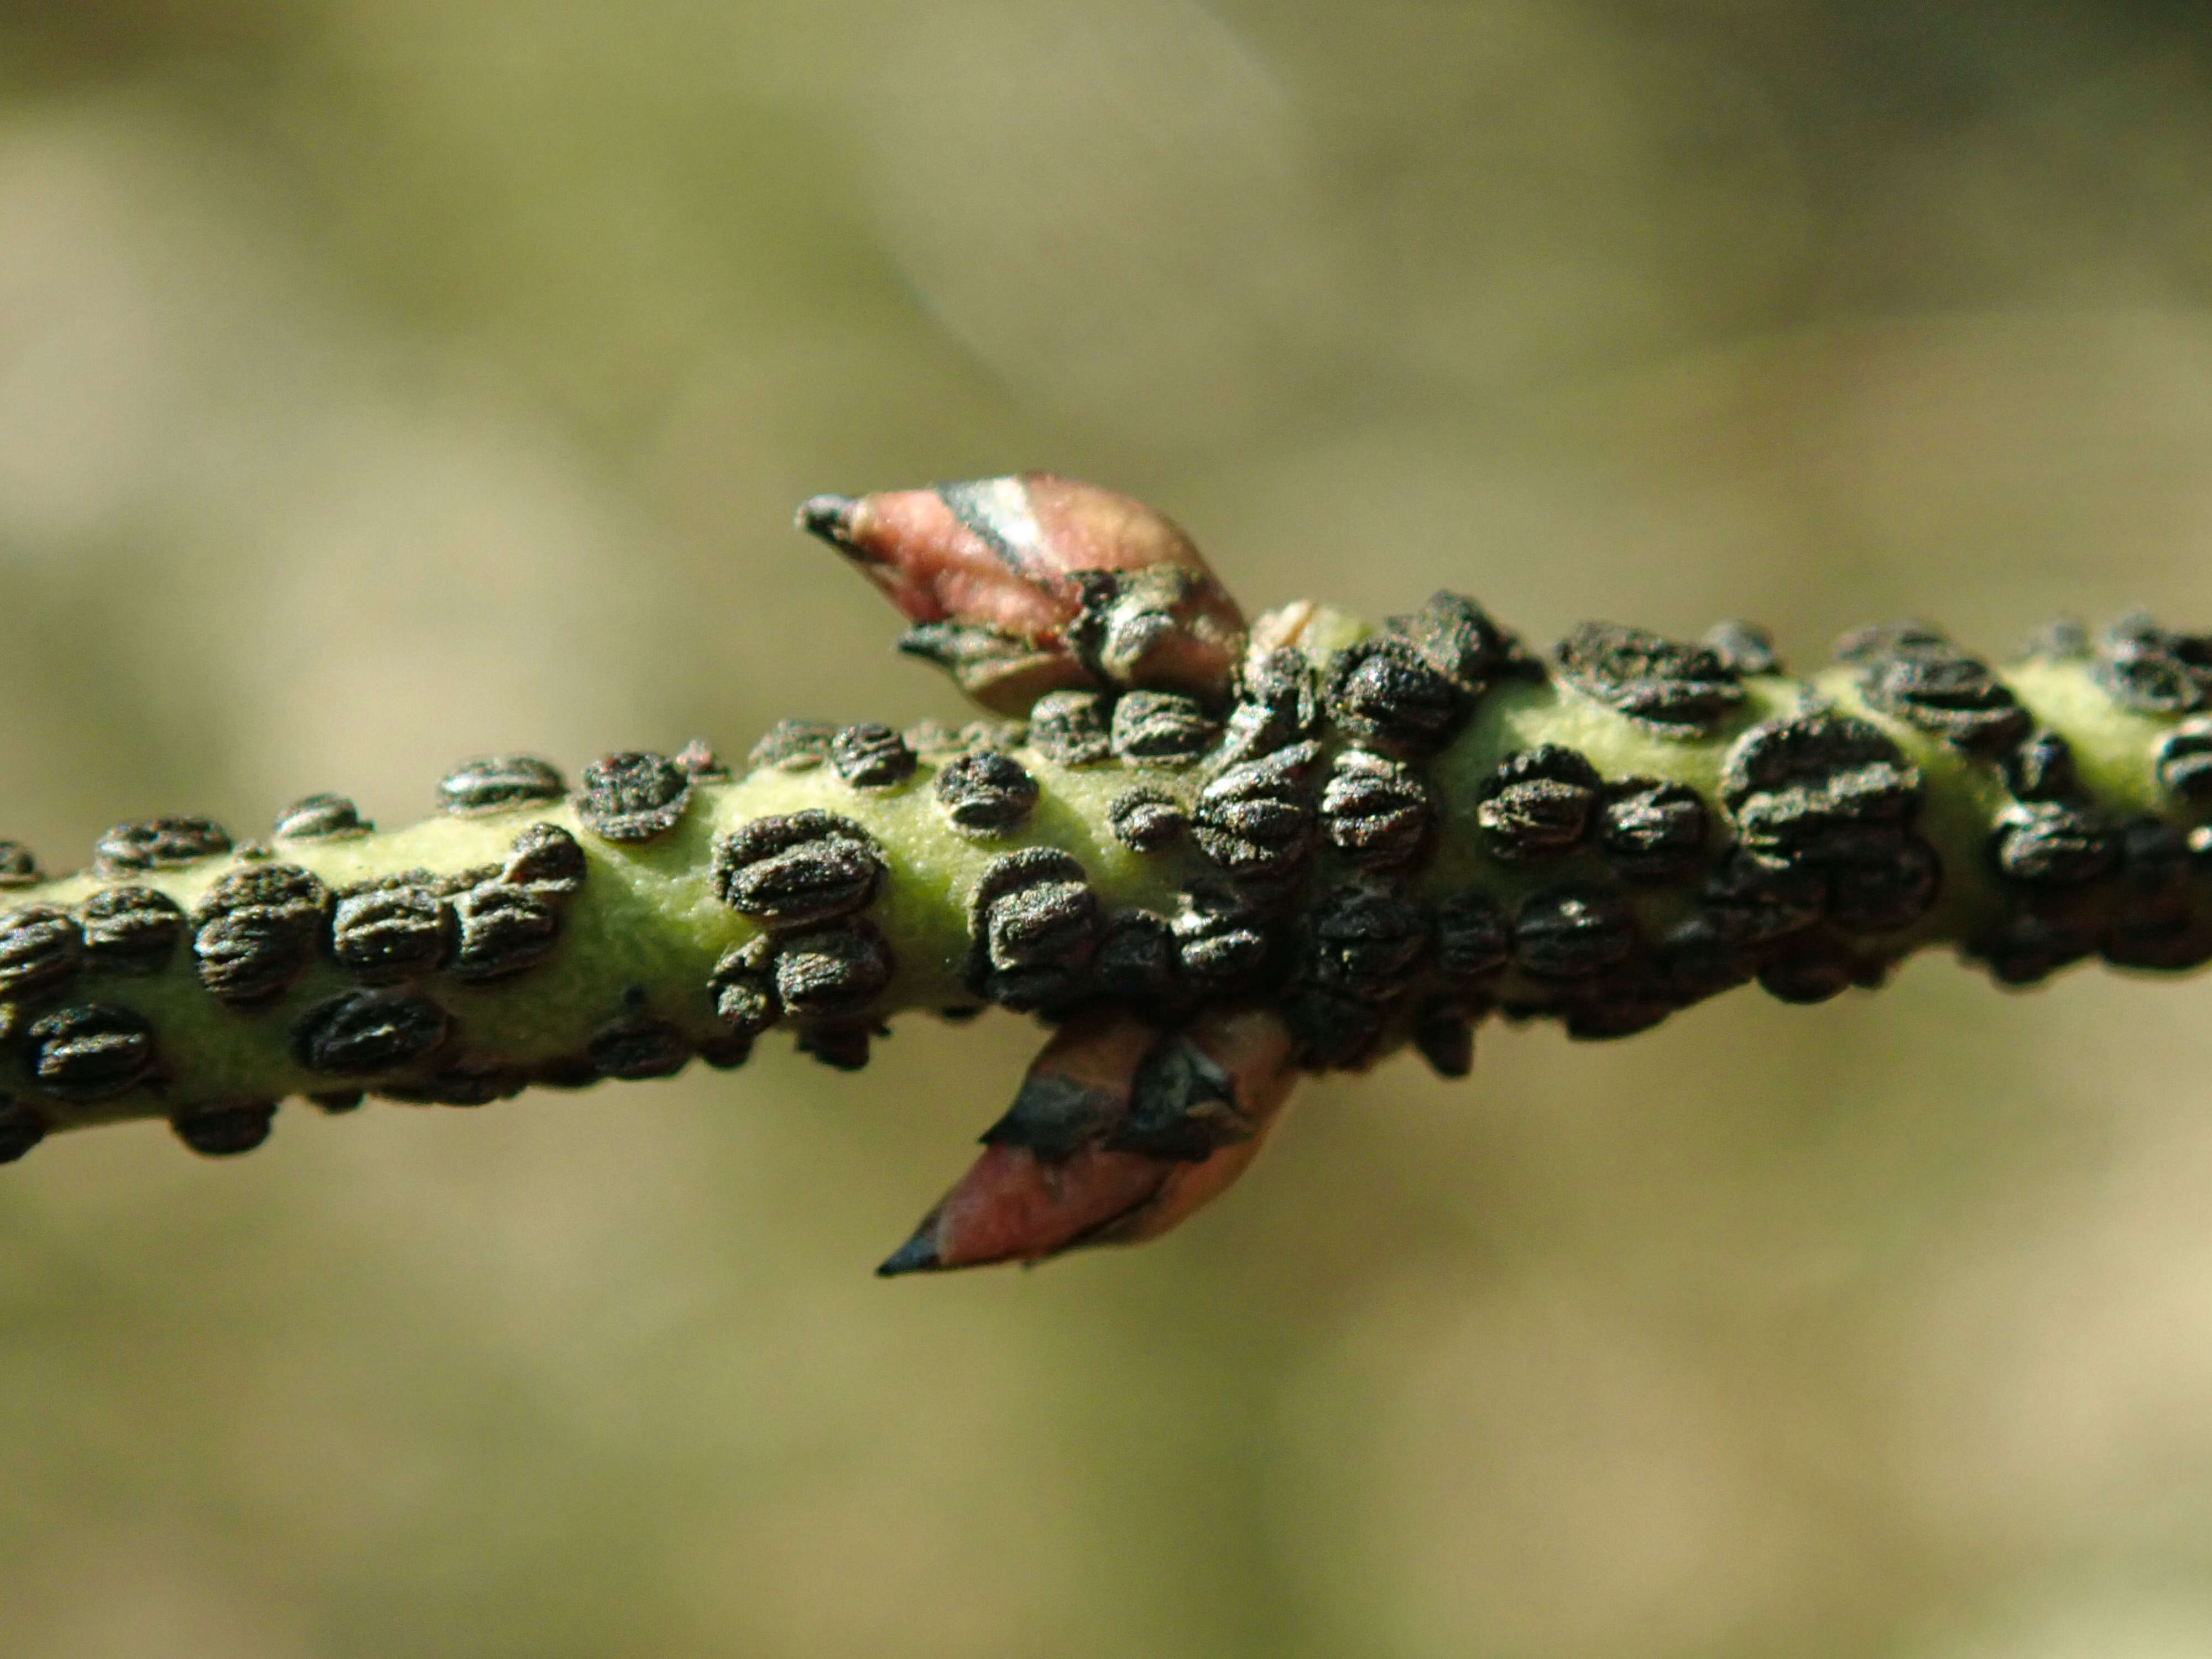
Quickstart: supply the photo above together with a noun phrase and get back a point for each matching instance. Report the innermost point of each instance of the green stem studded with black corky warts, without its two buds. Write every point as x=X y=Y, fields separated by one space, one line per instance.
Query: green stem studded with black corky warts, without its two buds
x=525 y=974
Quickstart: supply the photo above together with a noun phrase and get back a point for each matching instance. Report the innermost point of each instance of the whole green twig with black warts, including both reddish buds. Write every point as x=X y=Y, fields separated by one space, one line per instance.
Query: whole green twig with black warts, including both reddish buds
x=1209 y=855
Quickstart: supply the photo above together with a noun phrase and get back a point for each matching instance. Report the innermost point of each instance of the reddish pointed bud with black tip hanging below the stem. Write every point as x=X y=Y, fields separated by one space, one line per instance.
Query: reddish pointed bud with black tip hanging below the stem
x=1120 y=1134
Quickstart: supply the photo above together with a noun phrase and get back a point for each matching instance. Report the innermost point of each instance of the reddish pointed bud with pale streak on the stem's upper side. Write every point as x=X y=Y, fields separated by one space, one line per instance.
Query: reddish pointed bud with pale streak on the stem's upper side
x=1036 y=583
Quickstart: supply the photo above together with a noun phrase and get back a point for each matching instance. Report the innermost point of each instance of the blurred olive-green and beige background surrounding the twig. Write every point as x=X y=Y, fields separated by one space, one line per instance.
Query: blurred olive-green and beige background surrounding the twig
x=395 y=382
